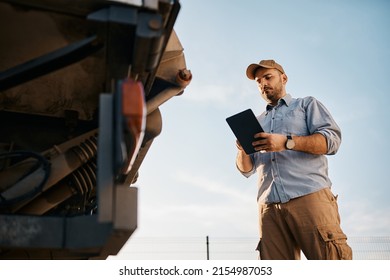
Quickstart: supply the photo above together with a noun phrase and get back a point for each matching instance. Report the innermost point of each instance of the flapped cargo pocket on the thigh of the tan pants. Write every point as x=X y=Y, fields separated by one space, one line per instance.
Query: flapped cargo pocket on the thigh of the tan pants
x=335 y=243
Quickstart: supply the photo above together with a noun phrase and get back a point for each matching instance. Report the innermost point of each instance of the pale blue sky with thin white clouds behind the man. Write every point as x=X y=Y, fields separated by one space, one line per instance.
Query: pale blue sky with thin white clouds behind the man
x=335 y=50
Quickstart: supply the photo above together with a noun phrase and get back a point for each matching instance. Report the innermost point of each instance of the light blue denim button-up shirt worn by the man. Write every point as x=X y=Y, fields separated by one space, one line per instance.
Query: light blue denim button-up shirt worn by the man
x=289 y=174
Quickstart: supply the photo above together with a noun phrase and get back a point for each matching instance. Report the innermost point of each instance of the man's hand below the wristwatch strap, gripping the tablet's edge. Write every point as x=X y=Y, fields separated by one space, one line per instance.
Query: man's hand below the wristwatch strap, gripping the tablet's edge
x=270 y=142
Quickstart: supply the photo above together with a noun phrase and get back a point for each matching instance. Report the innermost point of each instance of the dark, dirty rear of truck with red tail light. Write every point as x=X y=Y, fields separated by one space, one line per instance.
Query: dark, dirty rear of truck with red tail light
x=81 y=83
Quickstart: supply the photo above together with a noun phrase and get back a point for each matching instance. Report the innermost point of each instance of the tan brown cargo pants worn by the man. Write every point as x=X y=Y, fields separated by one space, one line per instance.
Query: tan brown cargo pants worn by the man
x=310 y=223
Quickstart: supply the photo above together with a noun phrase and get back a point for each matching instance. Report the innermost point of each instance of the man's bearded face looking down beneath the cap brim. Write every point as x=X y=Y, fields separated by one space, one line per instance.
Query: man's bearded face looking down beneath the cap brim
x=271 y=84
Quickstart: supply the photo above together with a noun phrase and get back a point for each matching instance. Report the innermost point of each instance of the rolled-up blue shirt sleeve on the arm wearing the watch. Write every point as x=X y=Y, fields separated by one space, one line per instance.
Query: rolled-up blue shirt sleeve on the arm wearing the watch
x=319 y=120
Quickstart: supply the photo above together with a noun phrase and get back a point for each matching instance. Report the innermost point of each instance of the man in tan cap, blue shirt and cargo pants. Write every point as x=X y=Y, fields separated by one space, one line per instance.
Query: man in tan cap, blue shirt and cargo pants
x=297 y=210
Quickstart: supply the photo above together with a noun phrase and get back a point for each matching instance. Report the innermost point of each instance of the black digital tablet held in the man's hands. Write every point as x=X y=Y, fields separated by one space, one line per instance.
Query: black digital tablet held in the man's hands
x=244 y=126
